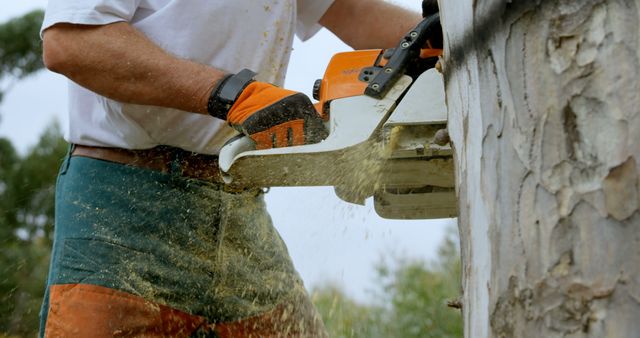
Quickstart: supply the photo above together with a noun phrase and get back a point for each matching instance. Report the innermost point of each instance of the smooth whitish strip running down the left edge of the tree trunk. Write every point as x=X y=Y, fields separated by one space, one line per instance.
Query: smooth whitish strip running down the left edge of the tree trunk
x=463 y=100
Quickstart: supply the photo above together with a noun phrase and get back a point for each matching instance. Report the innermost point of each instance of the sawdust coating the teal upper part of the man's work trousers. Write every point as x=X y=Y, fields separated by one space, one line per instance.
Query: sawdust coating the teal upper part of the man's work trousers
x=183 y=243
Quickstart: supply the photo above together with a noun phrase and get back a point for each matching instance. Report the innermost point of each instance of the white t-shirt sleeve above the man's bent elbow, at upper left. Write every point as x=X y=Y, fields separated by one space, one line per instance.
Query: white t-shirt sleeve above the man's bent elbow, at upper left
x=88 y=12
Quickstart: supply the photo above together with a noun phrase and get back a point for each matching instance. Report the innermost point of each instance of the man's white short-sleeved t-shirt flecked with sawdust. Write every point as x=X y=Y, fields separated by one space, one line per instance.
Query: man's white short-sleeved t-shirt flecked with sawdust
x=229 y=35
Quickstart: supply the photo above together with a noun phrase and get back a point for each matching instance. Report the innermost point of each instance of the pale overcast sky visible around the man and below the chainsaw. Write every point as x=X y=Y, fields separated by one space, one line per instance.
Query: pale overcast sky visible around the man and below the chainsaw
x=330 y=241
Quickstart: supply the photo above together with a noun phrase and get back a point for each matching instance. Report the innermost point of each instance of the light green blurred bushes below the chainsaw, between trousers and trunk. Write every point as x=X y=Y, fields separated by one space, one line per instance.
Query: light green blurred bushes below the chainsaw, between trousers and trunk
x=412 y=301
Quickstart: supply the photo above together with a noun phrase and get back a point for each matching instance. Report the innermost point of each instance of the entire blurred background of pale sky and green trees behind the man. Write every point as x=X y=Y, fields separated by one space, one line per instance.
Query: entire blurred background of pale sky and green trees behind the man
x=369 y=277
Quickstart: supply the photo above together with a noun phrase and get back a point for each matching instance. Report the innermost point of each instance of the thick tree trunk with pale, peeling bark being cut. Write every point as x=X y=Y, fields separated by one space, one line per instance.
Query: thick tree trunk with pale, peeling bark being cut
x=543 y=100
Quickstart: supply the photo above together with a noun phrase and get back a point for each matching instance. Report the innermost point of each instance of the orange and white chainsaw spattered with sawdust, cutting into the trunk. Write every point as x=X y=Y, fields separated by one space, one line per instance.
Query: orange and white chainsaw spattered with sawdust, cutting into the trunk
x=384 y=113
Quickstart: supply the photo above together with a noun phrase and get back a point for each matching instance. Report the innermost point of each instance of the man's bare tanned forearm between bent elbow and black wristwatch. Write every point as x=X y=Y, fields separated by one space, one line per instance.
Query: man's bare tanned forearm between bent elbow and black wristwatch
x=119 y=62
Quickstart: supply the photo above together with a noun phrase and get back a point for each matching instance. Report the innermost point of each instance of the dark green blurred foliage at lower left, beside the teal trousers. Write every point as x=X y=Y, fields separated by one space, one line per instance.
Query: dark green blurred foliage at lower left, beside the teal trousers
x=26 y=222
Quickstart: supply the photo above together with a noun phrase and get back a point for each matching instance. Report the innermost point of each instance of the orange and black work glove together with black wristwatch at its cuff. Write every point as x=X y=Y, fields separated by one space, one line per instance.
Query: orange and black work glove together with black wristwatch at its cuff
x=271 y=116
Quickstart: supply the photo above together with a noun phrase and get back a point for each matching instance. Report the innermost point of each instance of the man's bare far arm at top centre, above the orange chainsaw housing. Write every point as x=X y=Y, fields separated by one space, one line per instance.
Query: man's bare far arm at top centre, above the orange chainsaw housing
x=368 y=24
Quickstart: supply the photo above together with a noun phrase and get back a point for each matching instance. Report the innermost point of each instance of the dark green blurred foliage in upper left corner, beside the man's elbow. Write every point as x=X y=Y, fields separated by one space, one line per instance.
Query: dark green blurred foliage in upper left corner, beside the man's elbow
x=20 y=46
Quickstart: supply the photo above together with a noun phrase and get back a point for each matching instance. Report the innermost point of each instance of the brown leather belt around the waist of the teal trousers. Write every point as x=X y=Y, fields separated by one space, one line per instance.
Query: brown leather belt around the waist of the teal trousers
x=162 y=158
